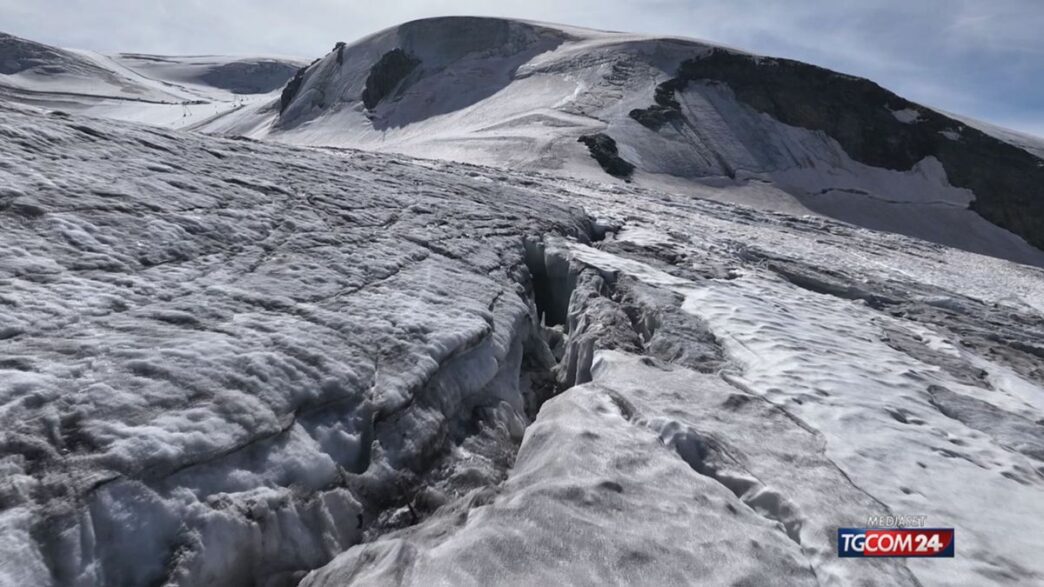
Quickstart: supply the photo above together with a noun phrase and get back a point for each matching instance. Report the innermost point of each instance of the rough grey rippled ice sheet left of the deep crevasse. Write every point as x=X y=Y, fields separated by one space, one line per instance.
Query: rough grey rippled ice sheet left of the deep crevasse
x=222 y=359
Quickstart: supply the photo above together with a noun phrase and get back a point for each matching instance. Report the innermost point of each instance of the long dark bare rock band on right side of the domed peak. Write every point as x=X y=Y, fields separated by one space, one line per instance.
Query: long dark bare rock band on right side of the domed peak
x=877 y=128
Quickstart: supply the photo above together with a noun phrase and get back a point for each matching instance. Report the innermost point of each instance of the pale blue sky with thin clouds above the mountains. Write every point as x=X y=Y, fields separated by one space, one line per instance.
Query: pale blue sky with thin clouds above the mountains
x=984 y=59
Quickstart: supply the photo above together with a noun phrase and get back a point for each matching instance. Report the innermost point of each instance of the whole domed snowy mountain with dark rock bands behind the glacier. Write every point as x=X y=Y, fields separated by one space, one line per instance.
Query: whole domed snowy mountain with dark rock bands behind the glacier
x=786 y=136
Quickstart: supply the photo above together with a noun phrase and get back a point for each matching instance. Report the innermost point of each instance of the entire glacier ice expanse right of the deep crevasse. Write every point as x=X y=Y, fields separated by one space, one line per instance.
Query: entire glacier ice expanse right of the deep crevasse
x=820 y=414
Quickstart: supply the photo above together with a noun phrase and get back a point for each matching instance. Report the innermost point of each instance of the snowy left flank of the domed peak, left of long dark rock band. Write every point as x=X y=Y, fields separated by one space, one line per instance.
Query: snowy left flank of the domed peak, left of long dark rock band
x=492 y=91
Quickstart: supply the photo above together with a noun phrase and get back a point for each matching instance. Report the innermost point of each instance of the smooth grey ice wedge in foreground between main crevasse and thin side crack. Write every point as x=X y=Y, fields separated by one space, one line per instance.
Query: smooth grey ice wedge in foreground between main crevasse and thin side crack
x=596 y=498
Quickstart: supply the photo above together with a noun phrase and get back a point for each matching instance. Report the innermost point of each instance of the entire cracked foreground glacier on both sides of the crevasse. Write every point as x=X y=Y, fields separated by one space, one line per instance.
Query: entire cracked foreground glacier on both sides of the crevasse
x=235 y=363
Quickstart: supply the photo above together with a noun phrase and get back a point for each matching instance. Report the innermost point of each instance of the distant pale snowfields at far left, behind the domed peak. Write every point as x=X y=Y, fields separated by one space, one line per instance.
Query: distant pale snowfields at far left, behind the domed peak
x=168 y=91
